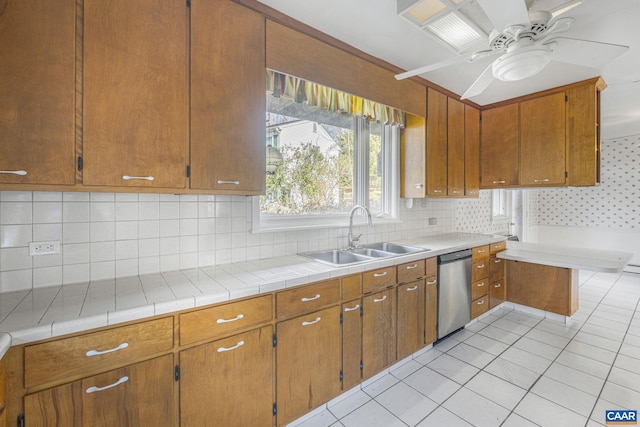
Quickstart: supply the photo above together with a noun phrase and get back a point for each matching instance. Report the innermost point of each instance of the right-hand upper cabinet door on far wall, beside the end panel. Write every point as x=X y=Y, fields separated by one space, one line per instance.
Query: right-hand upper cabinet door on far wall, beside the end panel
x=543 y=140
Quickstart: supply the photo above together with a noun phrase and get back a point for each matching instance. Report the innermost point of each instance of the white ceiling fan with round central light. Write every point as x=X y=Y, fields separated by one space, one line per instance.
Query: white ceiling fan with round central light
x=526 y=41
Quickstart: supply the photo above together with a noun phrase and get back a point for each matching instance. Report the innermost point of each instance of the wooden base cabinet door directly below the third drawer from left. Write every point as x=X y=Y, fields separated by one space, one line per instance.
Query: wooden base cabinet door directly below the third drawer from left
x=309 y=359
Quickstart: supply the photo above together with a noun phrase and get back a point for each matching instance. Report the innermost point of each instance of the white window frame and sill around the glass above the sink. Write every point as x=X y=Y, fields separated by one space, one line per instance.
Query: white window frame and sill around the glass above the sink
x=390 y=188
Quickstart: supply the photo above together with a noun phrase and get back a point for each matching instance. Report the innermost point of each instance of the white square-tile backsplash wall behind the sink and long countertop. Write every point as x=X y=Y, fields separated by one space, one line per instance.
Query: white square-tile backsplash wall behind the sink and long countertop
x=107 y=235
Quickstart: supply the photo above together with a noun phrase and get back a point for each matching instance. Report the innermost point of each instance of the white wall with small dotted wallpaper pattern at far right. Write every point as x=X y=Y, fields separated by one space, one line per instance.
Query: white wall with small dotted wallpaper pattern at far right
x=606 y=216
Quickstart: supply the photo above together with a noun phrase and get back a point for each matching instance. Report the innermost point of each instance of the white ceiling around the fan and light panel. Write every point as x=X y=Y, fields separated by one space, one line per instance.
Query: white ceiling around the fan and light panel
x=374 y=27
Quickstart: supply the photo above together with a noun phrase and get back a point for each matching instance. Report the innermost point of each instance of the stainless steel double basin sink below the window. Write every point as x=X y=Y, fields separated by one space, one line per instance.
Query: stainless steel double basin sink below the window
x=337 y=257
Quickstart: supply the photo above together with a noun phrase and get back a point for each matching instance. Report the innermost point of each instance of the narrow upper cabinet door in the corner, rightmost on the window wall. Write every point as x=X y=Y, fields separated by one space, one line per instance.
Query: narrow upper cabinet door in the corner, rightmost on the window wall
x=471 y=151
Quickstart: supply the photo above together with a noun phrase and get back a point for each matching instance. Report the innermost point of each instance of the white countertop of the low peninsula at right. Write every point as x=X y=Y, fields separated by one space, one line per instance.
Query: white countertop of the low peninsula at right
x=605 y=261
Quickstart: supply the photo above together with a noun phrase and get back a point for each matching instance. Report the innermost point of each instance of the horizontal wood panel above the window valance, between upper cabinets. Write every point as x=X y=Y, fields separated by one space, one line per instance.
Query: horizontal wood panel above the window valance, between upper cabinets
x=294 y=53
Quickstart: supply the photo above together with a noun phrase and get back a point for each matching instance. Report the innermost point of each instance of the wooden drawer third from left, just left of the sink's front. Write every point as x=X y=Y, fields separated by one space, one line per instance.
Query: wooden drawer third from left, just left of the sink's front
x=307 y=298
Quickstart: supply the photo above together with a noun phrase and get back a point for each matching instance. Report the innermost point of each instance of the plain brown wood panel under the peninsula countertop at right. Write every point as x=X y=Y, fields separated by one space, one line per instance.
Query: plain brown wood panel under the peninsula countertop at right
x=545 y=287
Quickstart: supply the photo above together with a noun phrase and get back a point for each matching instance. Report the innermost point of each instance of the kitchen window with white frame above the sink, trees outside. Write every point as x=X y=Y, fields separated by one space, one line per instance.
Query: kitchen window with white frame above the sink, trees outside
x=330 y=160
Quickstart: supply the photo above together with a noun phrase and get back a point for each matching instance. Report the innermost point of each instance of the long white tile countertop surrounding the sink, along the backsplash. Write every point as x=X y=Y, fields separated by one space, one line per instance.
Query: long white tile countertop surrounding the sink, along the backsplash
x=40 y=313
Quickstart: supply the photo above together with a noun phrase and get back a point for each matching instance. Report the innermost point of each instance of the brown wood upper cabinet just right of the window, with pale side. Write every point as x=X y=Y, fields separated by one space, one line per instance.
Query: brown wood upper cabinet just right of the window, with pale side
x=439 y=155
